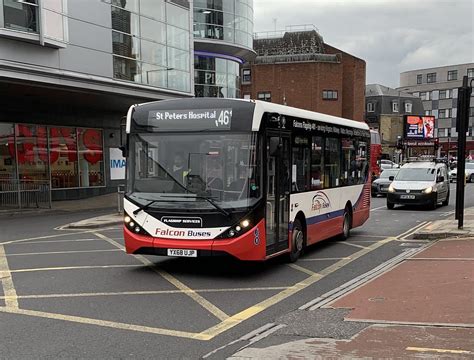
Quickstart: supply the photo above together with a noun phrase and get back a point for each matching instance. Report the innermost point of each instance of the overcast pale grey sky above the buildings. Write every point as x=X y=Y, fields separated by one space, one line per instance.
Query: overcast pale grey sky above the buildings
x=392 y=36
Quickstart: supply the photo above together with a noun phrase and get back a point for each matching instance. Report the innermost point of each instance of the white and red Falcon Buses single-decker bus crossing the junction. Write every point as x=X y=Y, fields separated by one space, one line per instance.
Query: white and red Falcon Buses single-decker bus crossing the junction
x=244 y=178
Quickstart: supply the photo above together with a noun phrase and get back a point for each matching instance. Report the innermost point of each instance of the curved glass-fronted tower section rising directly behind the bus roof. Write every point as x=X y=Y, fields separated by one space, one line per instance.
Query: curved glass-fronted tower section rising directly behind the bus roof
x=223 y=33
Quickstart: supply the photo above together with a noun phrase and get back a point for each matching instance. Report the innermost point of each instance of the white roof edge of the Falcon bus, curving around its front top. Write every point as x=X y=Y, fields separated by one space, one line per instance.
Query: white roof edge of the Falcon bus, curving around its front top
x=259 y=109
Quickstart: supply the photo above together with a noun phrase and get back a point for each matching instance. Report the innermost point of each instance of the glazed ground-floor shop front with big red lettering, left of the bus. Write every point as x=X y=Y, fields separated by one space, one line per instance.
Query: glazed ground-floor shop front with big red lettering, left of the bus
x=38 y=160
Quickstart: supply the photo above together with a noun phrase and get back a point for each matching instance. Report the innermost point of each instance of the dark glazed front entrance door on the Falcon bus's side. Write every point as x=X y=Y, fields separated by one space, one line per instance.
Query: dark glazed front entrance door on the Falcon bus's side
x=278 y=192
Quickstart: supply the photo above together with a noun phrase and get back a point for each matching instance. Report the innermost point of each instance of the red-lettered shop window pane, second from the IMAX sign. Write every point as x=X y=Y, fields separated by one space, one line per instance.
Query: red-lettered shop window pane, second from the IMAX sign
x=63 y=157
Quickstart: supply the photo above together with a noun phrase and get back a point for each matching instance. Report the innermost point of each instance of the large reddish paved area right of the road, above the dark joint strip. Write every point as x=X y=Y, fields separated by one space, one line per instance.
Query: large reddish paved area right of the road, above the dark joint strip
x=419 y=291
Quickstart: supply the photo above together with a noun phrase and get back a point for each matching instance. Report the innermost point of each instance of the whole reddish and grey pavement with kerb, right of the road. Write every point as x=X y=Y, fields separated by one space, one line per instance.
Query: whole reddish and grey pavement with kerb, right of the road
x=421 y=306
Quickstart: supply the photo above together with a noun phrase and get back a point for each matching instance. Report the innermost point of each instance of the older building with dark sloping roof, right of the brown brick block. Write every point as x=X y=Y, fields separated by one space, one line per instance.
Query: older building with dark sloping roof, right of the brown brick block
x=385 y=109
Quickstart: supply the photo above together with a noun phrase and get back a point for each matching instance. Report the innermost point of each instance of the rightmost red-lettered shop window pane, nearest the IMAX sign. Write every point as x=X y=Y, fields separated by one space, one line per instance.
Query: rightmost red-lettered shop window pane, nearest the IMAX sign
x=91 y=157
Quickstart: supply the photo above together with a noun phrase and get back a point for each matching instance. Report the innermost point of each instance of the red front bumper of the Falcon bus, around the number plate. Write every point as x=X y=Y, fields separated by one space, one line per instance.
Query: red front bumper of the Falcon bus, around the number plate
x=249 y=246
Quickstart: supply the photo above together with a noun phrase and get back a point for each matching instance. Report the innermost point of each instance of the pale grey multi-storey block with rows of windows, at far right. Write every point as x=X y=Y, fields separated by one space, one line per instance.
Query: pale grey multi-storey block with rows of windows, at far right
x=438 y=89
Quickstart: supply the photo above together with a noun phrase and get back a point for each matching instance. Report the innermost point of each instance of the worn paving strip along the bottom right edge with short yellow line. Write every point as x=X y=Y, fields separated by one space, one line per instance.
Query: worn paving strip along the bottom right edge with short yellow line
x=376 y=342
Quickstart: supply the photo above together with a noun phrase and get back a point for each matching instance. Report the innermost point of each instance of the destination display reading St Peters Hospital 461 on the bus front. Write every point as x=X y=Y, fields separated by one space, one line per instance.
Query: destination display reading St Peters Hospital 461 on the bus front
x=189 y=120
